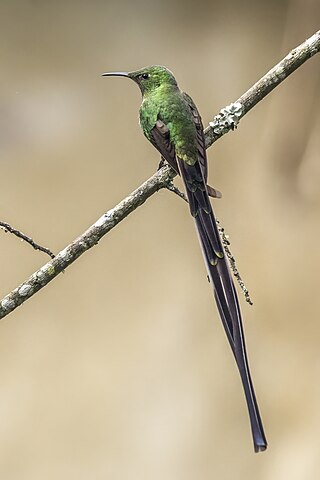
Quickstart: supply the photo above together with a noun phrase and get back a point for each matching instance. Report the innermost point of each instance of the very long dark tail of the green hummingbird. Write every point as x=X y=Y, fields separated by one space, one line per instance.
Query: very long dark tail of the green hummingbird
x=224 y=290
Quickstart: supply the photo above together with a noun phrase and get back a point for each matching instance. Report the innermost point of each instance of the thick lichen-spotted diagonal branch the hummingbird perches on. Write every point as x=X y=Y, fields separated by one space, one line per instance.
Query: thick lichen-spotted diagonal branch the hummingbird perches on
x=225 y=121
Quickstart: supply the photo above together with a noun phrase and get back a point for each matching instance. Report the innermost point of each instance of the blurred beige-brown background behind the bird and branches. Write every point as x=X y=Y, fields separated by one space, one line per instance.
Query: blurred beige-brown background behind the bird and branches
x=119 y=368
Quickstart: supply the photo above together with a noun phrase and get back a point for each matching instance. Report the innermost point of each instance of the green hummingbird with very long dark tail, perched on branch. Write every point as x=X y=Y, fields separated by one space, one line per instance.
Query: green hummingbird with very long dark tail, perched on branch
x=171 y=122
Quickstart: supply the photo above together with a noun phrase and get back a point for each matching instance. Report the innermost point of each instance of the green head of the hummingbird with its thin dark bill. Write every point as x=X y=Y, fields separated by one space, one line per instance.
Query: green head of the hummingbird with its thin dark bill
x=148 y=78
